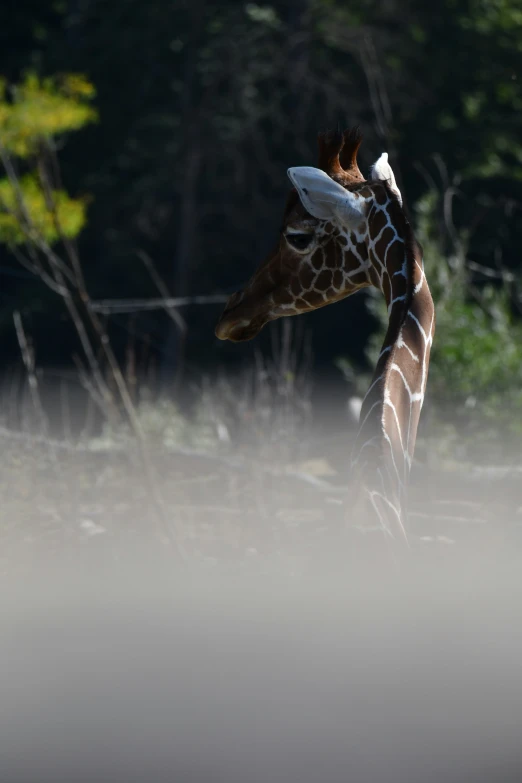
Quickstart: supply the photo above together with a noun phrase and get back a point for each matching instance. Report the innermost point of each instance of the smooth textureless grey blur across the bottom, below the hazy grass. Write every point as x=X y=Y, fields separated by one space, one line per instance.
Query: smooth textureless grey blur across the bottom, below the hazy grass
x=132 y=675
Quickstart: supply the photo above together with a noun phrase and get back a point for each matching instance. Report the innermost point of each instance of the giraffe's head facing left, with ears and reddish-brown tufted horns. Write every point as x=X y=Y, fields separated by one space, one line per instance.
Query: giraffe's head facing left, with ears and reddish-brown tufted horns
x=324 y=248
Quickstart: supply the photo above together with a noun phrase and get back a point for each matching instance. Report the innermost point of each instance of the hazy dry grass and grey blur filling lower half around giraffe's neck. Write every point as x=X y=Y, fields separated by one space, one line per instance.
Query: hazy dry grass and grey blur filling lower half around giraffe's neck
x=220 y=619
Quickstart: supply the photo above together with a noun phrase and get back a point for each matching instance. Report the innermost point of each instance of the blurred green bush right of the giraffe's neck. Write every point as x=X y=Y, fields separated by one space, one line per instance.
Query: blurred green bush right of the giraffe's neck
x=477 y=355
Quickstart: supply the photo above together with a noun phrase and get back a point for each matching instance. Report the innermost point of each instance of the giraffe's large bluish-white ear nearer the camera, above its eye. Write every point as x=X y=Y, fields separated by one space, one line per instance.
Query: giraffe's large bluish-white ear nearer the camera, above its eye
x=324 y=198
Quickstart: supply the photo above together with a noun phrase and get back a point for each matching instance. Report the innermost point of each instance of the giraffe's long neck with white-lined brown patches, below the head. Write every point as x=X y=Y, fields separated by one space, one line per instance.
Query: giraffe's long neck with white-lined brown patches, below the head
x=391 y=409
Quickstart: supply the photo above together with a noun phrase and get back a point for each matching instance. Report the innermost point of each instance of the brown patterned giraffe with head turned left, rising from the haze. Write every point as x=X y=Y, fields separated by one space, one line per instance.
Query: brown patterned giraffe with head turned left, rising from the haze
x=341 y=233
